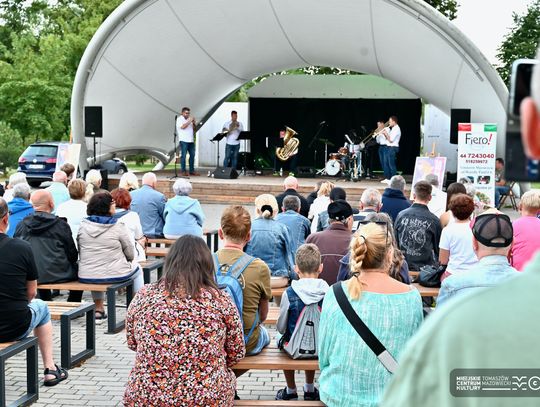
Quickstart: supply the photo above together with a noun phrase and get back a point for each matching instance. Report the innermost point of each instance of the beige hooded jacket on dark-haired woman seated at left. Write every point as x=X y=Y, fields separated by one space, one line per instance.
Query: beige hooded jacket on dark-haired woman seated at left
x=106 y=250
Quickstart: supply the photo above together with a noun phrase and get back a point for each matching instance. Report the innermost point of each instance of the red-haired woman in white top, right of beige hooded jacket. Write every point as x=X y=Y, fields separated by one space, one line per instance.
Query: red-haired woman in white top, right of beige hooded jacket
x=131 y=219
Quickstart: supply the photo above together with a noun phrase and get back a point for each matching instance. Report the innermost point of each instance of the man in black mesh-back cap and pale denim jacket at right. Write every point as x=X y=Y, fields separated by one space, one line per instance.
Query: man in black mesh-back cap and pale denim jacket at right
x=492 y=238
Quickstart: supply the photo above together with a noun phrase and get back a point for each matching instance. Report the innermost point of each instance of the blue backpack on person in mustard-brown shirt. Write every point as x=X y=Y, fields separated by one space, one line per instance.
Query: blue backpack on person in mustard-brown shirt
x=227 y=279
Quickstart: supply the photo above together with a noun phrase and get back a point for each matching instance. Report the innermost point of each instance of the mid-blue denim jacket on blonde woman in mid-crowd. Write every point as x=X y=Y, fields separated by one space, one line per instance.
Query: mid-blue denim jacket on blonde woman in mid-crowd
x=271 y=243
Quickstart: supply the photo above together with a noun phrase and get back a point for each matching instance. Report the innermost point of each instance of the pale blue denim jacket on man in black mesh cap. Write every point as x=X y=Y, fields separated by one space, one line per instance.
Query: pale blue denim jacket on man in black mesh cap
x=488 y=272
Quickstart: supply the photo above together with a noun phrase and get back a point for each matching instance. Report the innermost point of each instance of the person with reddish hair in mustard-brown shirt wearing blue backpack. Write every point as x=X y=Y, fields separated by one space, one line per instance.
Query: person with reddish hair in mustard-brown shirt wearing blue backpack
x=235 y=231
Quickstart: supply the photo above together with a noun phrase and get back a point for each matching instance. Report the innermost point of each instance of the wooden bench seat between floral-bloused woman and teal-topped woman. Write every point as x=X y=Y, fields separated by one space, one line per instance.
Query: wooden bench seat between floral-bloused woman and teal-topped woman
x=271 y=358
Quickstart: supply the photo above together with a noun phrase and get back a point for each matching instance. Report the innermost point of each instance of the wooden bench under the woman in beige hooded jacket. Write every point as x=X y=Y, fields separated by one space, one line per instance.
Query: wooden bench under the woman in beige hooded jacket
x=111 y=291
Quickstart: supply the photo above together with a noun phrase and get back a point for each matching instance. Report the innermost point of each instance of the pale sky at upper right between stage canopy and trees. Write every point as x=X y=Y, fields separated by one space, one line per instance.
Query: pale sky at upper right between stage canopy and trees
x=486 y=22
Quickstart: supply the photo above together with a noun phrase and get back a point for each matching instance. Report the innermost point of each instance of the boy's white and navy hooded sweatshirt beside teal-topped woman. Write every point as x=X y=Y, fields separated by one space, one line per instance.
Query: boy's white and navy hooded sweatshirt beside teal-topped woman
x=309 y=290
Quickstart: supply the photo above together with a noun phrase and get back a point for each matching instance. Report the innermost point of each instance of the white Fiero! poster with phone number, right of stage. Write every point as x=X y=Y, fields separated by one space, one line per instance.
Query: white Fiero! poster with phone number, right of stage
x=477 y=143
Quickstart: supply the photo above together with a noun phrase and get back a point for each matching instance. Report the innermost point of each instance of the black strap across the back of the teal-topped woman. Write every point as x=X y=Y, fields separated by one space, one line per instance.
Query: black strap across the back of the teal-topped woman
x=386 y=359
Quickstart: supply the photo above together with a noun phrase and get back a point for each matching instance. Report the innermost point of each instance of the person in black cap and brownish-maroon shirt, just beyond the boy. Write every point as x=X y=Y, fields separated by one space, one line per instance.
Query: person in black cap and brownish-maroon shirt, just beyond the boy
x=333 y=243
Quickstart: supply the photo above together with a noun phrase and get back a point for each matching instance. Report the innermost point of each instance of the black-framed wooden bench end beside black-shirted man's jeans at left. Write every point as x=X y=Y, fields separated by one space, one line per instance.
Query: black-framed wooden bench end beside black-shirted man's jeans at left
x=66 y=312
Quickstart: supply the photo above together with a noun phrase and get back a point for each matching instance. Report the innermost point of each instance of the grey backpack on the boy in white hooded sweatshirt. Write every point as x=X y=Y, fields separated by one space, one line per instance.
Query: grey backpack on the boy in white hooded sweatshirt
x=304 y=340
